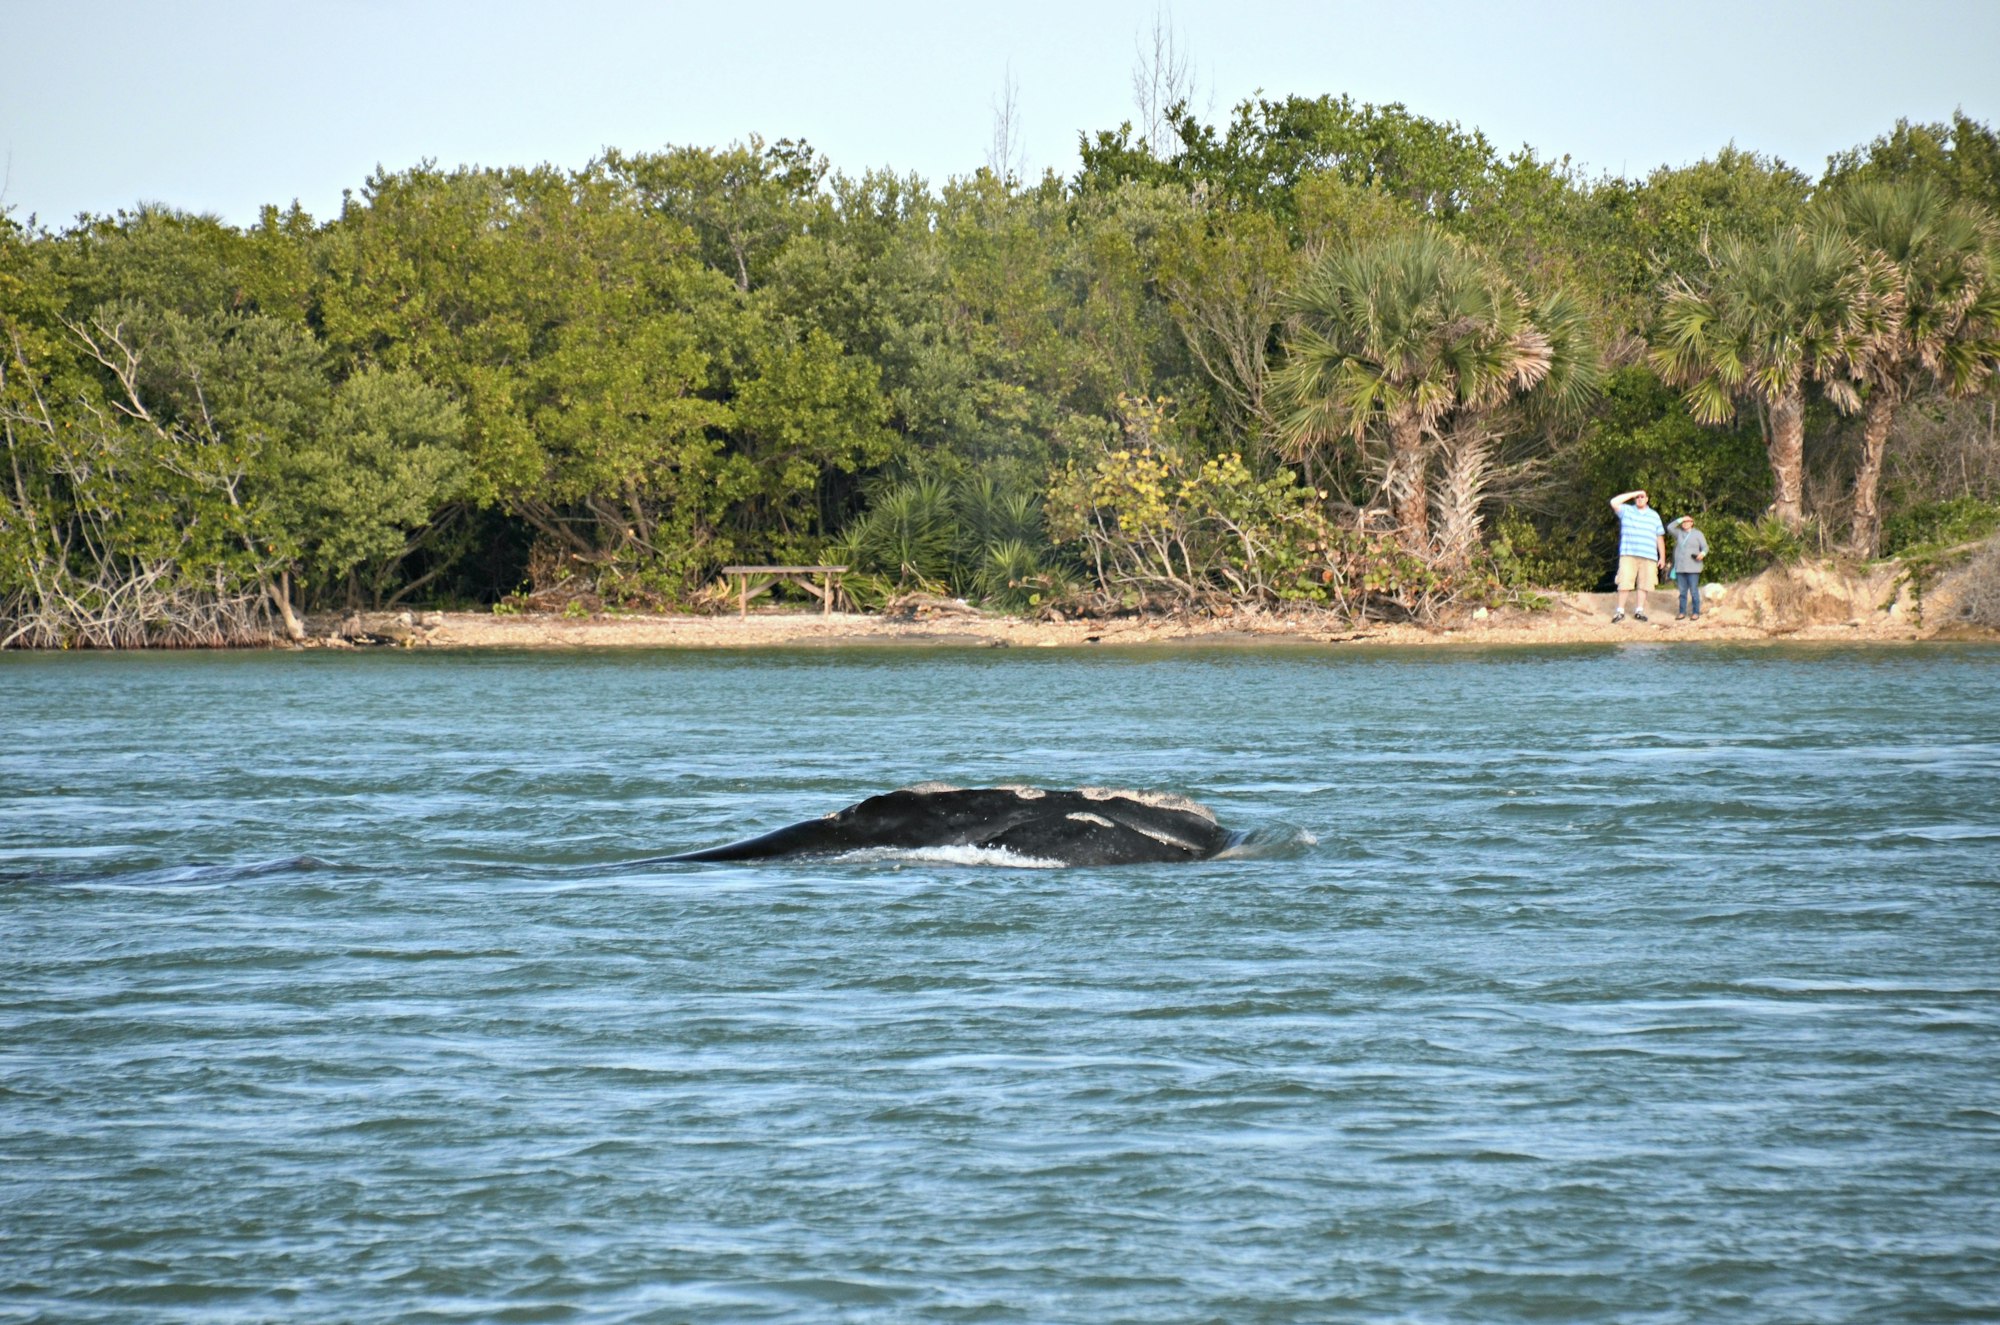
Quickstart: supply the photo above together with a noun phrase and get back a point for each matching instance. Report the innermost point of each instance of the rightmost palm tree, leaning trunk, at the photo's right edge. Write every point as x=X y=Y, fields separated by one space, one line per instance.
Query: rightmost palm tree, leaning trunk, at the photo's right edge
x=1949 y=333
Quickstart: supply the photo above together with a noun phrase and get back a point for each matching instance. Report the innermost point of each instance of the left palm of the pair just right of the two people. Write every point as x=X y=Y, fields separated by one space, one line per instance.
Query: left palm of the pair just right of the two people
x=1763 y=321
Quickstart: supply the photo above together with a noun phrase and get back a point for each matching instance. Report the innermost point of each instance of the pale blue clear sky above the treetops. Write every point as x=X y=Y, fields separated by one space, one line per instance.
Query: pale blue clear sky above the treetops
x=229 y=105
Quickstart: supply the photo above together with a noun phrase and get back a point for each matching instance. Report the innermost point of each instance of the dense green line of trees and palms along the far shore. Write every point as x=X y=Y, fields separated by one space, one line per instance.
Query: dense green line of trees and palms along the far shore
x=1319 y=351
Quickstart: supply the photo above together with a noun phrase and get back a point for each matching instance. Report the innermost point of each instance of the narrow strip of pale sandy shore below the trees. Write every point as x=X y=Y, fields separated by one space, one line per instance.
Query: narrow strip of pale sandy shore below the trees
x=1789 y=609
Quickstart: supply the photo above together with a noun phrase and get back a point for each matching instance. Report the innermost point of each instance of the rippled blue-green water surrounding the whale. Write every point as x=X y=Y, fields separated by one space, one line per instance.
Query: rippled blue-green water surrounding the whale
x=1623 y=984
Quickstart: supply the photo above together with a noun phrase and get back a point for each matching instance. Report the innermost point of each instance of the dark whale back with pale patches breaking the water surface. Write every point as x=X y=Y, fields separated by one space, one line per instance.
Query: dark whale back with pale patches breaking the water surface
x=1091 y=826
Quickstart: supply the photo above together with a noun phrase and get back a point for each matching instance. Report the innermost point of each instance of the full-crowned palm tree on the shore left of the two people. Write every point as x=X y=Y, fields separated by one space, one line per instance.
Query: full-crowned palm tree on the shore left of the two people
x=1415 y=337
